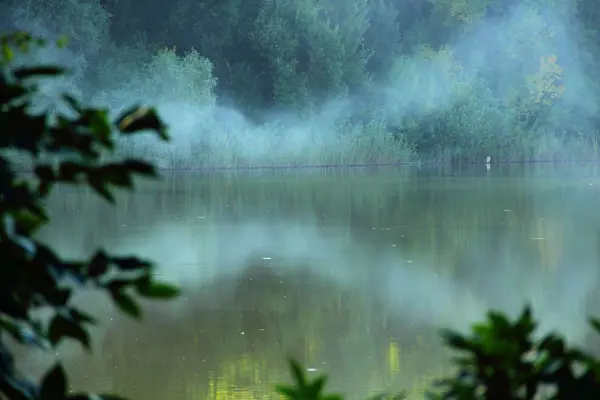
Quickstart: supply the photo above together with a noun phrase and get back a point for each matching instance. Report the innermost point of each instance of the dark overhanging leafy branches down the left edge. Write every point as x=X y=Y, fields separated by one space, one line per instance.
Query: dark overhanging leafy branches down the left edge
x=33 y=276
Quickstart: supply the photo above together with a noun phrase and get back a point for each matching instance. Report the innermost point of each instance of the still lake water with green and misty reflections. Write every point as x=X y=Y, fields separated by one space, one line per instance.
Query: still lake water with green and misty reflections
x=352 y=271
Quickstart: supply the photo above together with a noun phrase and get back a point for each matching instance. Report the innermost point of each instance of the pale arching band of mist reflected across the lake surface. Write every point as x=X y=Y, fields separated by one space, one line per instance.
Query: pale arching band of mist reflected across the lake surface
x=201 y=256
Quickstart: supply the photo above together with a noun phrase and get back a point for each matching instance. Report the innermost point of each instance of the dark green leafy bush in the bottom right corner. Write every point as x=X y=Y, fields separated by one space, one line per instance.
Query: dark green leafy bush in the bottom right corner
x=502 y=360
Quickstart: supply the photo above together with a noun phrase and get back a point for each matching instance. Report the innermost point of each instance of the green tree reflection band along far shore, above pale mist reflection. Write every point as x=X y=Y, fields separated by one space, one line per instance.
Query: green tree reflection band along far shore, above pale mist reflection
x=440 y=216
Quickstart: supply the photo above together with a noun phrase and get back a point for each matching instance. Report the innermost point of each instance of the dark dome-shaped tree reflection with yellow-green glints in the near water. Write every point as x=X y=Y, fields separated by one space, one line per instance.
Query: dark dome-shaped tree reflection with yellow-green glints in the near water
x=233 y=338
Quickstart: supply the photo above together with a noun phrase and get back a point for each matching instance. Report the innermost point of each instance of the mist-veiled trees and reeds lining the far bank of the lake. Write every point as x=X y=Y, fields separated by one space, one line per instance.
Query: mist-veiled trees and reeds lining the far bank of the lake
x=377 y=80
